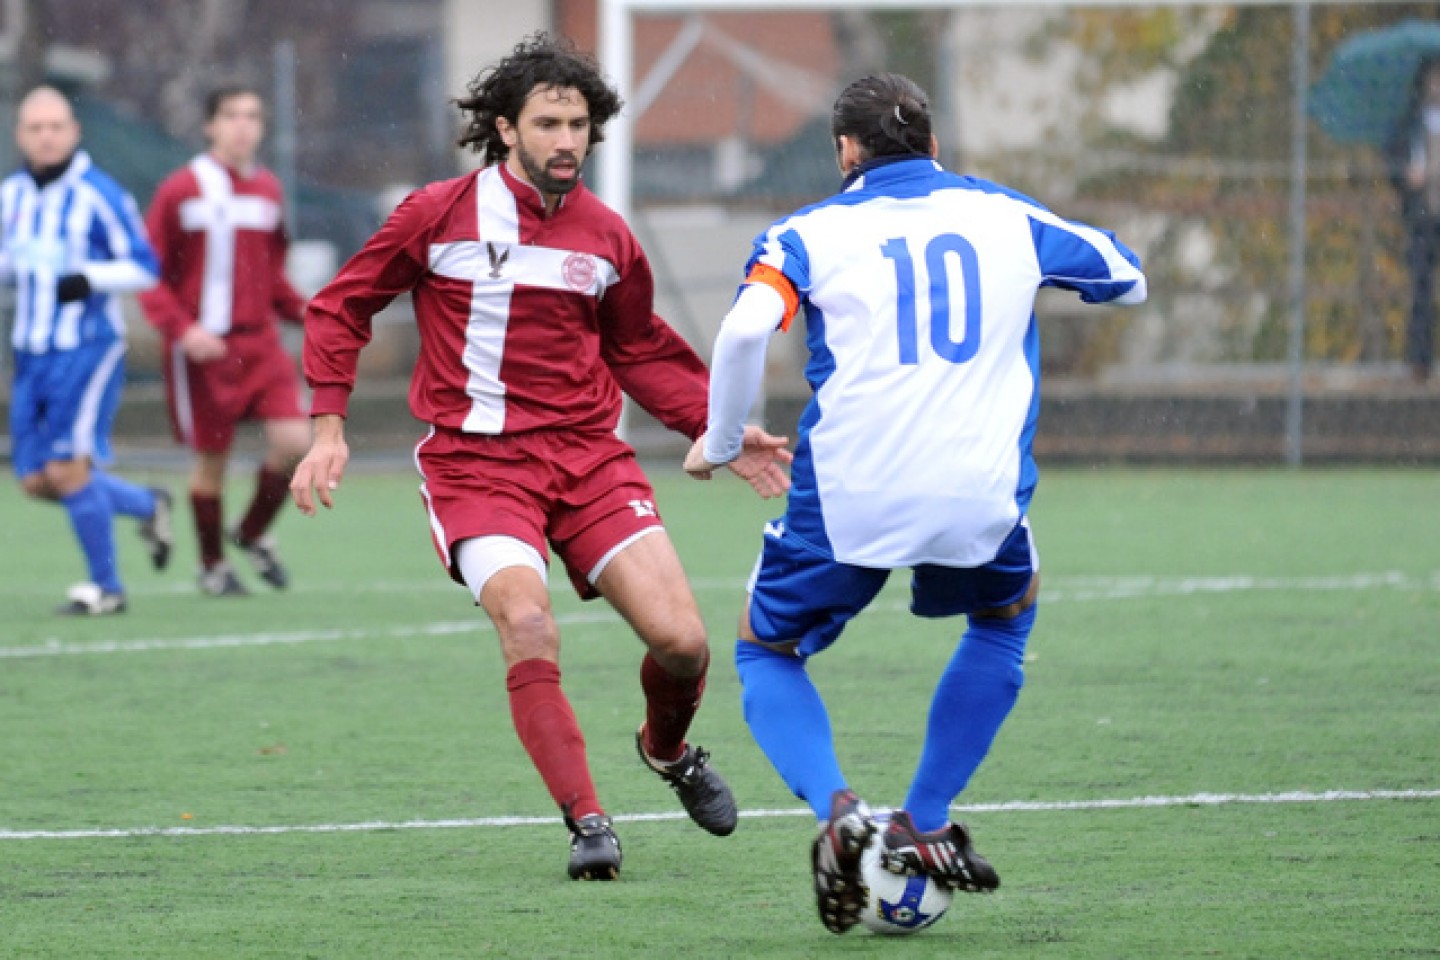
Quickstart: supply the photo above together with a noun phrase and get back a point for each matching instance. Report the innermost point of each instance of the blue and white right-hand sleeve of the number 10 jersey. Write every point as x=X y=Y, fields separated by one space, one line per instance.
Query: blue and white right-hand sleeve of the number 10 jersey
x=1086 y=261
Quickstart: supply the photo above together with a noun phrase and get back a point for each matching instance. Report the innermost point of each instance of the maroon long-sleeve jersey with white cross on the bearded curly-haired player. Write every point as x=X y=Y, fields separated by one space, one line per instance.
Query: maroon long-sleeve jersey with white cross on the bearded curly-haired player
x=528 y=320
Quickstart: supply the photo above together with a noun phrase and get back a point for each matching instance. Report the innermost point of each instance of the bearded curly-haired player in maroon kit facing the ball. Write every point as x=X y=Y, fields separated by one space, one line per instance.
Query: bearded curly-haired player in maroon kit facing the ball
x=535 y=309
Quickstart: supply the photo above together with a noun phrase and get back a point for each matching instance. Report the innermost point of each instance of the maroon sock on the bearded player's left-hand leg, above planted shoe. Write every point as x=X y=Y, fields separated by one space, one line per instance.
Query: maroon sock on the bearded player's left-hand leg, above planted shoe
x=552 y=736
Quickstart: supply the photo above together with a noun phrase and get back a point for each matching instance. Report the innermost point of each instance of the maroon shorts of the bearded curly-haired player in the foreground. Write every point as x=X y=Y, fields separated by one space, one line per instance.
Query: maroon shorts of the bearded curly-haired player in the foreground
x=581 y=493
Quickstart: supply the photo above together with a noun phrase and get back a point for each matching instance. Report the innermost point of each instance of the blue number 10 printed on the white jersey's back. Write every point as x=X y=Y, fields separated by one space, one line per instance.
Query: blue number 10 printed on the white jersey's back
x=938 y=254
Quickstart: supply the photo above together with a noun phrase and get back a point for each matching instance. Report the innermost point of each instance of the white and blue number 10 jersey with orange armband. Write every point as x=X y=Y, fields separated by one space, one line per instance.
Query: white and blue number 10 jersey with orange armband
x=917 y=287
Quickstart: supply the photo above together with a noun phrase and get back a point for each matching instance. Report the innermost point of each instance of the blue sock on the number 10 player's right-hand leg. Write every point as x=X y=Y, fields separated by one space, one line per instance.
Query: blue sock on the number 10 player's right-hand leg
x=976 y=694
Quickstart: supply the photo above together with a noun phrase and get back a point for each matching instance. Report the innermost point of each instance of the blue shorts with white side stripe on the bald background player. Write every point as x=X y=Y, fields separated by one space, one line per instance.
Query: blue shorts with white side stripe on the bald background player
x=64 y=404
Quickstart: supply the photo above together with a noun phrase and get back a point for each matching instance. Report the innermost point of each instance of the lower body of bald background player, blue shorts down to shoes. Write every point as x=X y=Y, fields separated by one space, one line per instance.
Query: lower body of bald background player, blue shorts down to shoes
x=61 y=414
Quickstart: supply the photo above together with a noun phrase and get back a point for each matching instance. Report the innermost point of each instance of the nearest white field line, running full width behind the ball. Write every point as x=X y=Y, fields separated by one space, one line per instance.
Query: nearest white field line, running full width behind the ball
x=1016 y=807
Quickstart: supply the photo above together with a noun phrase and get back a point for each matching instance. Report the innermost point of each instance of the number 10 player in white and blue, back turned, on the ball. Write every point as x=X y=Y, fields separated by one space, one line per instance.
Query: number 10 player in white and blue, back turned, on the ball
x=917 y=289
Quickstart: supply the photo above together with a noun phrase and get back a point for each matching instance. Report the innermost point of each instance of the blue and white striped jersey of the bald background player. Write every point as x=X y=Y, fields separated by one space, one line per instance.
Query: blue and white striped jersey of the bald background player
x=81 y=222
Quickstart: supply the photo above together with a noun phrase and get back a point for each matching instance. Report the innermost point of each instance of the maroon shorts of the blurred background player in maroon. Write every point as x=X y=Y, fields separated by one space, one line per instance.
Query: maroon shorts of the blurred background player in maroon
x=256 y=381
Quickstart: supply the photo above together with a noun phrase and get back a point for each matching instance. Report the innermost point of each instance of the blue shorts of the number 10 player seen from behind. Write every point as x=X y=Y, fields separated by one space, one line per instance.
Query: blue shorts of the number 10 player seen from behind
x=801 y=595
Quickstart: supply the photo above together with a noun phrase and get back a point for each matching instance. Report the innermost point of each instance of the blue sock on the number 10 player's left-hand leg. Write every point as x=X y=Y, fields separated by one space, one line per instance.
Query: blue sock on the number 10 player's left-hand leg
x=790 y=723
